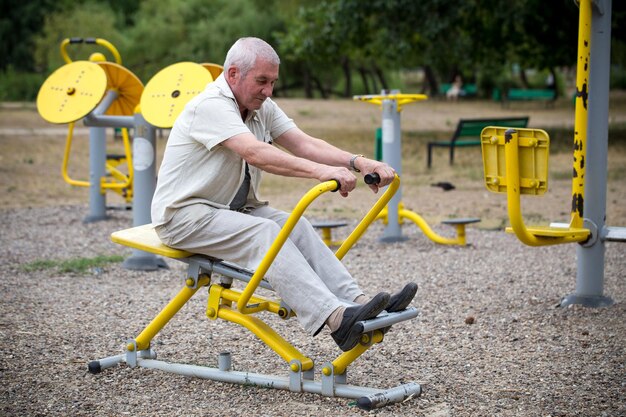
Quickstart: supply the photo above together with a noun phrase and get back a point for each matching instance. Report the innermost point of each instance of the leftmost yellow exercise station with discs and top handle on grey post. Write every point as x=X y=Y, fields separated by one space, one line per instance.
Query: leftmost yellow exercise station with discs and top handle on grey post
x=73 y=92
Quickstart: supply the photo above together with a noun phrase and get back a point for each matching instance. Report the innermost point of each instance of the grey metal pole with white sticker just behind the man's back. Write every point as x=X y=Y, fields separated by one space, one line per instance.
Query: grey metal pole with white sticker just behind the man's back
x=144 y=184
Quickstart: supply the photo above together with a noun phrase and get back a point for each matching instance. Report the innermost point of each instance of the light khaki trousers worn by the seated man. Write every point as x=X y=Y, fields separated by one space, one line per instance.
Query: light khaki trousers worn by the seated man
x=306 y=274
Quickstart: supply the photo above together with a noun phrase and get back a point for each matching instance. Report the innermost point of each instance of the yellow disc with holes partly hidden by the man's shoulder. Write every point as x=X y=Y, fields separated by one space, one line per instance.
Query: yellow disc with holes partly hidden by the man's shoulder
x=170 y=89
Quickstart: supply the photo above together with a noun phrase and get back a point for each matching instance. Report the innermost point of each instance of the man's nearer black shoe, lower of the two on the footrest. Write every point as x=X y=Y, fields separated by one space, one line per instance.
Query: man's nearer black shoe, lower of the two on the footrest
x=348 y=334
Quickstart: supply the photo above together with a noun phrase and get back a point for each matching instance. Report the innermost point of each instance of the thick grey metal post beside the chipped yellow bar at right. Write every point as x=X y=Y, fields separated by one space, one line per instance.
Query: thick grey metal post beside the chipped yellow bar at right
x=590 y=255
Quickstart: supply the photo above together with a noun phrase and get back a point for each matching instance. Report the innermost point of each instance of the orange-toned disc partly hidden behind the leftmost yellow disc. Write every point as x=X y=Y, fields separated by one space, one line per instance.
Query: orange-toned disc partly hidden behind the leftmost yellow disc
x=128 y=87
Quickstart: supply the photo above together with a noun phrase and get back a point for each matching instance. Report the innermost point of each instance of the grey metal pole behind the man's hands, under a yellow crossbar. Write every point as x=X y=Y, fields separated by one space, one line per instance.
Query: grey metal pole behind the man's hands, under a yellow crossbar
x=392 y=155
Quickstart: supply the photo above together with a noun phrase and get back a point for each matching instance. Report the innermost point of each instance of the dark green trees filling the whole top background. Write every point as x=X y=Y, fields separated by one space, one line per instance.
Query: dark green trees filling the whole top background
x=328 y=47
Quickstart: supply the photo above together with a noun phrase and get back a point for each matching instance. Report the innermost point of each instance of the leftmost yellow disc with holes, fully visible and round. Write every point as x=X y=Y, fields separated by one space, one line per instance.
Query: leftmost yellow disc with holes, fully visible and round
x=71 y=92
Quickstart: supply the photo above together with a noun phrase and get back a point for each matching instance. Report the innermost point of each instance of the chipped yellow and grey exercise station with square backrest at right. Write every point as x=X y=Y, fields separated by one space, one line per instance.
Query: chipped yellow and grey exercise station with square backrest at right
x=516 y=162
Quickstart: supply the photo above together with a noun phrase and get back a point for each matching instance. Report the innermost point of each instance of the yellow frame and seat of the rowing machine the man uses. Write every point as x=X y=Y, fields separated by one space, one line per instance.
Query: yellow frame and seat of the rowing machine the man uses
x=238 y=306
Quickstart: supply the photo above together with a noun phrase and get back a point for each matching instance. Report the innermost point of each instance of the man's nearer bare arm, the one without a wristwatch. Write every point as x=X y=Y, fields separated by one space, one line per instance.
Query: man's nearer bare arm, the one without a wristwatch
x=271 y=159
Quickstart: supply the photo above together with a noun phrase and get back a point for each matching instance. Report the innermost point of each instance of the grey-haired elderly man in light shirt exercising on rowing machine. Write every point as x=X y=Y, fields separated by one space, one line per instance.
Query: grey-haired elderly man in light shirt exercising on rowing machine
x=207 y=196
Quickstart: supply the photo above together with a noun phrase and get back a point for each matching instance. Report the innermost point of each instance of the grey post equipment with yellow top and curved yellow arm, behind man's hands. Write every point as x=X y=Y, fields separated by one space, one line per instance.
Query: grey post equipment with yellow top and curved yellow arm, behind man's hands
x=395 y=213
